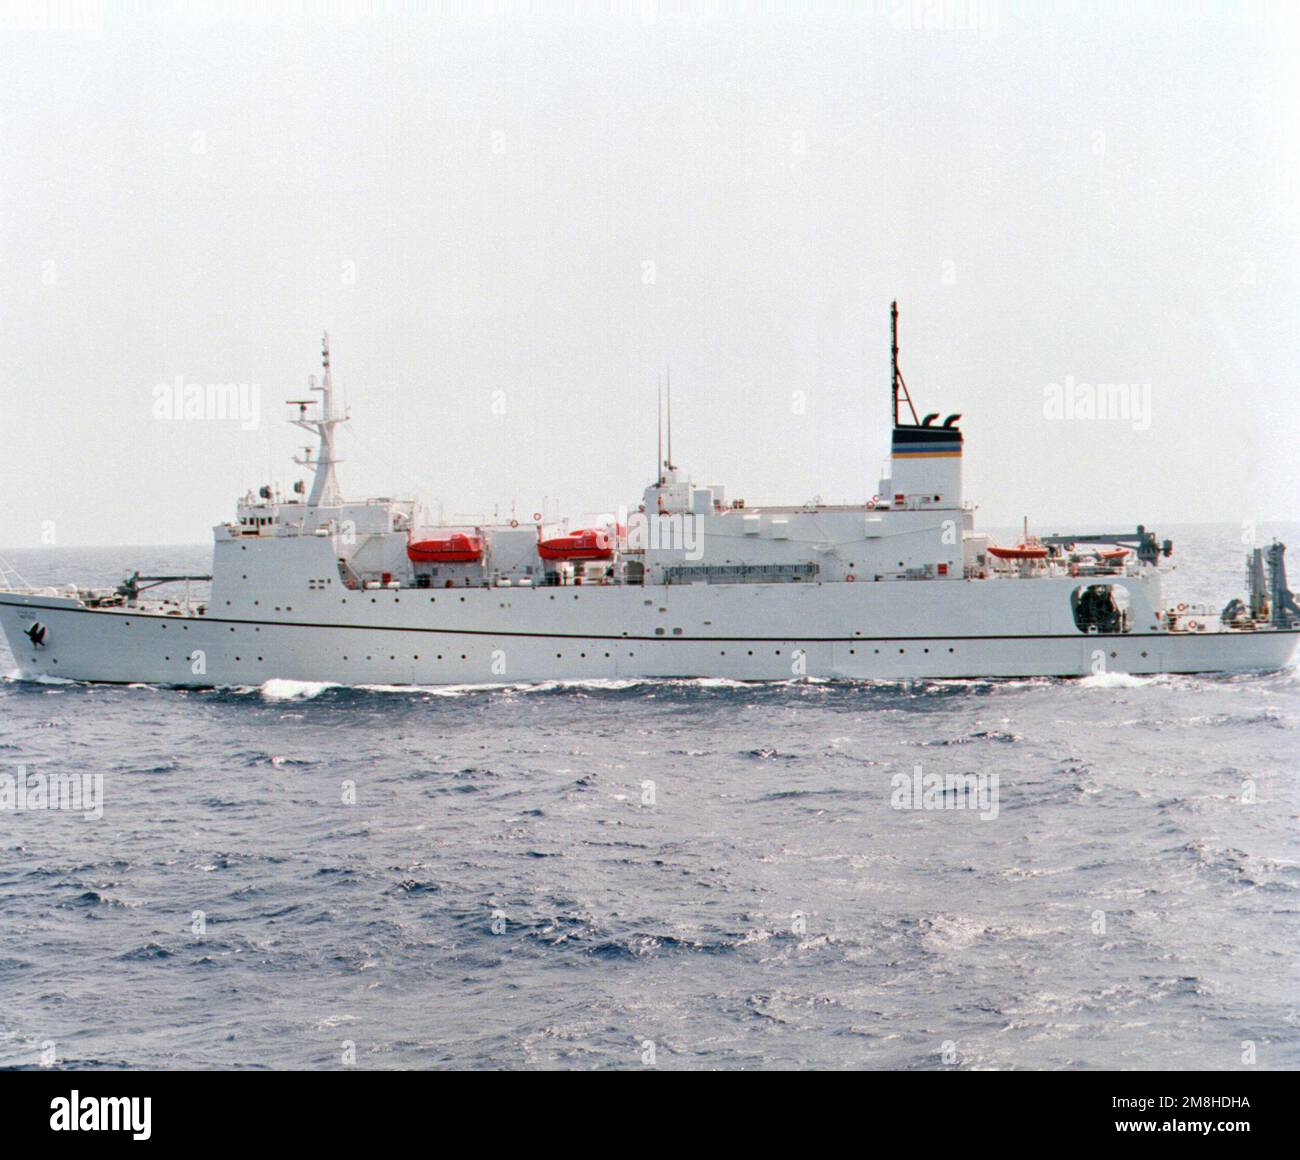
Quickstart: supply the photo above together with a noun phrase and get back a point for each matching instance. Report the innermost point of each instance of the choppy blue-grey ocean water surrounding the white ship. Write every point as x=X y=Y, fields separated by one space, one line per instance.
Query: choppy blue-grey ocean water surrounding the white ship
x=674 y=875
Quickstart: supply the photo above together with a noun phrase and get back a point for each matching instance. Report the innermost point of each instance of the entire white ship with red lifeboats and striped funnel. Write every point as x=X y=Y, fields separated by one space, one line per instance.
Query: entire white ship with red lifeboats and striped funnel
x=311 y=587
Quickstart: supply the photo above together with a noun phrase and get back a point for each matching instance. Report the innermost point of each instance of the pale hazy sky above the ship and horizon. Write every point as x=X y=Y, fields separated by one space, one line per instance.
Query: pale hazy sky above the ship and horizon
x=512 y=223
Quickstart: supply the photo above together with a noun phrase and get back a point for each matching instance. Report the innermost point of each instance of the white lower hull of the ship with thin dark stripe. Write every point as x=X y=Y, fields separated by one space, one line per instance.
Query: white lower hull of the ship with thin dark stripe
x=489 y=640
